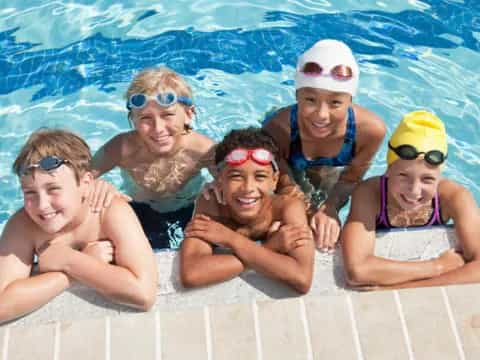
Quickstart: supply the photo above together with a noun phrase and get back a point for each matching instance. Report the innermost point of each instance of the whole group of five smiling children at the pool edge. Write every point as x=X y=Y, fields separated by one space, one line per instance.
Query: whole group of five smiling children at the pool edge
x=281 y=187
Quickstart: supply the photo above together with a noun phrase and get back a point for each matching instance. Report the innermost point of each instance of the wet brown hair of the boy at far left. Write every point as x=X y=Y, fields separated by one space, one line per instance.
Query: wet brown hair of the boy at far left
x=55 y=142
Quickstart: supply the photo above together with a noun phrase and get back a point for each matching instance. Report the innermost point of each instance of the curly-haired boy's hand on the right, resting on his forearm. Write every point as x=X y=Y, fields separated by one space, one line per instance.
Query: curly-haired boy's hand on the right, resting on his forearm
x=285 y=238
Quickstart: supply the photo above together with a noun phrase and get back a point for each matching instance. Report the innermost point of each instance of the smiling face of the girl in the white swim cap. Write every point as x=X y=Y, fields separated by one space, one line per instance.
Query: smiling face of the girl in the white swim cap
x=321 y=113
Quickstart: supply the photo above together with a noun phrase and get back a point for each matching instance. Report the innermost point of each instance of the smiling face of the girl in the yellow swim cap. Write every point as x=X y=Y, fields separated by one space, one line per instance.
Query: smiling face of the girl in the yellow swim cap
x=412 y=183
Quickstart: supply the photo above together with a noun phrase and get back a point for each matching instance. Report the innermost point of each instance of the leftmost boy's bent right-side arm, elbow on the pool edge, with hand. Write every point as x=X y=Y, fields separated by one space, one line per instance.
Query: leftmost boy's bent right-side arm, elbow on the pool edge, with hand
x=132 y=279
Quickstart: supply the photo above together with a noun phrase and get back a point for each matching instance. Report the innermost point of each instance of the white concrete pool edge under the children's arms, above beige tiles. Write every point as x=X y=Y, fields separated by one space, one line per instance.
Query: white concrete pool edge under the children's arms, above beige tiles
x=79 y=303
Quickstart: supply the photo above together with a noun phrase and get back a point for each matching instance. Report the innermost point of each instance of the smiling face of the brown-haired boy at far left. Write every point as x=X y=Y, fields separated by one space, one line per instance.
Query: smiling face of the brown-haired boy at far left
x=54 y=199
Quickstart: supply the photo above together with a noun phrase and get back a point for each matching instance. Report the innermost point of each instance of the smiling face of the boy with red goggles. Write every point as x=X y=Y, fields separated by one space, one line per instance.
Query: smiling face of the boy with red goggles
x=247 y=189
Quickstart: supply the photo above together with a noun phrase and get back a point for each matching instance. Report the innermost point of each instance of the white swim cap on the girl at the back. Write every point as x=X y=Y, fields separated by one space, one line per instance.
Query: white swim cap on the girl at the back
x=328 y=54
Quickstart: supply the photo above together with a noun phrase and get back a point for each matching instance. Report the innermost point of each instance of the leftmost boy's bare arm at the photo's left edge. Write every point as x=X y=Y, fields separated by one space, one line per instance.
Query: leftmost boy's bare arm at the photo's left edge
x=20 y=293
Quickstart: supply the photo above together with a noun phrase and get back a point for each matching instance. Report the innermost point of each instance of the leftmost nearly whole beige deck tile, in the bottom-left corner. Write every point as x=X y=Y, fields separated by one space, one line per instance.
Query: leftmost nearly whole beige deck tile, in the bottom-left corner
x=28 y=343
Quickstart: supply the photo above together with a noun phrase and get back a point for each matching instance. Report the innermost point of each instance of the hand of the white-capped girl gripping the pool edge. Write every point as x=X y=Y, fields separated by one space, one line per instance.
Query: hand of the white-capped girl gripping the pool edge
x=326 y=230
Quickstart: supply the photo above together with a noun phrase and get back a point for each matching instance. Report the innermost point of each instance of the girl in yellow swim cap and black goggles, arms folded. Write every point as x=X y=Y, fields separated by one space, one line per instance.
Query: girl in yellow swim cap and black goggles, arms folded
x=412 y=193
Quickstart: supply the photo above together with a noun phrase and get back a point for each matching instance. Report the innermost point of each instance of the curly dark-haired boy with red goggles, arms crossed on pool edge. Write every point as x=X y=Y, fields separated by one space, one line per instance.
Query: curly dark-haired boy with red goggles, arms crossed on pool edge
x=248 y=176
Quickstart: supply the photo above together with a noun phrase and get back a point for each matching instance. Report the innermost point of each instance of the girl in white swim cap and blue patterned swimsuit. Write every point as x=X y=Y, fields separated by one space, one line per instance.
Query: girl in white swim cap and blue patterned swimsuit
x=325 y=141
